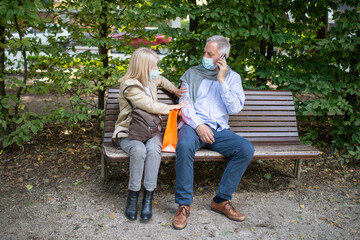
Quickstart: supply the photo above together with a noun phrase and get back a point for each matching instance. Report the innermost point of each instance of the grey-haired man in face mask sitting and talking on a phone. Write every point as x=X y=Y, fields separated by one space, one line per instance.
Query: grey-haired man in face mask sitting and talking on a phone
x=215 y=92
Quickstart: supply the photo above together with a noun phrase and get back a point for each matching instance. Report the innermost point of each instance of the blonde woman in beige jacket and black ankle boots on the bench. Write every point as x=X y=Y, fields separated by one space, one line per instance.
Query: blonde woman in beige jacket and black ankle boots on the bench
x=144 y=157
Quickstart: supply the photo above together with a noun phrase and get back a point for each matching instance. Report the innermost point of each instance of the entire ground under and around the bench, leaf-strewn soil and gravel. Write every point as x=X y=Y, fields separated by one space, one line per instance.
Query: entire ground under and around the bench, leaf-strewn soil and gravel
x=54 y=191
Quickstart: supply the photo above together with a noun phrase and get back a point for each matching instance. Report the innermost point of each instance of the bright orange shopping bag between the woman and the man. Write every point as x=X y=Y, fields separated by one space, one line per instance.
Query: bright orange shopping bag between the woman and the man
x=170 y=136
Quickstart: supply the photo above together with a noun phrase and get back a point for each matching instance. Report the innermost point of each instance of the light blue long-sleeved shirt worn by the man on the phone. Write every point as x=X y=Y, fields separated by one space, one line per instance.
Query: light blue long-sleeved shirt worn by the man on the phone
x=214 y=102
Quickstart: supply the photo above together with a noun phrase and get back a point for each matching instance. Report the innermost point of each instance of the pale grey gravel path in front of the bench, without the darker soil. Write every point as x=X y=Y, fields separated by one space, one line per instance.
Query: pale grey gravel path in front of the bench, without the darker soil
x=95 y=211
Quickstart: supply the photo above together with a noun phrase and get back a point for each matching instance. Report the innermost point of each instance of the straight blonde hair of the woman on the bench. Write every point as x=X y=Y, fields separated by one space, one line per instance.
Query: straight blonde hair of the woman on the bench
x=142 y=61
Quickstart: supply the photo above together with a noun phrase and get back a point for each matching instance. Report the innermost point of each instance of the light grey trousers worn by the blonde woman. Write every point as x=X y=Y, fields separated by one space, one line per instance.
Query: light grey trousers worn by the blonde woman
x=144 y=159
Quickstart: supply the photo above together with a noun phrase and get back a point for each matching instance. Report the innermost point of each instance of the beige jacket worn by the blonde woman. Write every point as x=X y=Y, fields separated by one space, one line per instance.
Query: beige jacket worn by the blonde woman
x=140 y=100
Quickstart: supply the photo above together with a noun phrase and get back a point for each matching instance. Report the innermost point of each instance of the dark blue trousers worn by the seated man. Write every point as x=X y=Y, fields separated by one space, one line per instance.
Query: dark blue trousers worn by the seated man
x=238 y=149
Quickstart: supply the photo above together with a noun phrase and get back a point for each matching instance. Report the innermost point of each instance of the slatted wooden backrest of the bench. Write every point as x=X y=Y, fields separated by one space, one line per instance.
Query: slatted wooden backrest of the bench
x=267 y=118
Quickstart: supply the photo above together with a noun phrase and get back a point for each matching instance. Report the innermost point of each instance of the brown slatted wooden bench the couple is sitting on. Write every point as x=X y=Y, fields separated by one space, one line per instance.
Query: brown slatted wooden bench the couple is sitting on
x=268 y=120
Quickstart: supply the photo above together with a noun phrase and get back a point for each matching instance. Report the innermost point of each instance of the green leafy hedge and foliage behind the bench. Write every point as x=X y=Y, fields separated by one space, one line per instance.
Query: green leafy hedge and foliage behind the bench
x=275 y=44
